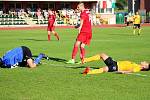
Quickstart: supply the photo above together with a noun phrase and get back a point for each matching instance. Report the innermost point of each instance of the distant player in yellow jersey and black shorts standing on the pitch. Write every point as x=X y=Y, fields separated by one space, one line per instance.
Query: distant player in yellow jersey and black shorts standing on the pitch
x=137 y=22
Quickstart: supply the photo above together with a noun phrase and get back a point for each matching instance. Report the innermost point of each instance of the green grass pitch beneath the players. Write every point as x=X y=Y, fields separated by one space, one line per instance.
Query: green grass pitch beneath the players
x=55 y=80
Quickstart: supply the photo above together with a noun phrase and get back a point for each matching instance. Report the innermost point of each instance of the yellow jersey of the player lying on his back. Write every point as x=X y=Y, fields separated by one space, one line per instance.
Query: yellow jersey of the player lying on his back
x=128 y=66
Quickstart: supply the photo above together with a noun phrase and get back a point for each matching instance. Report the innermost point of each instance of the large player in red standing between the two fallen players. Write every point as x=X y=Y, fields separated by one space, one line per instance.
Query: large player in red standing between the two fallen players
x=85 y=34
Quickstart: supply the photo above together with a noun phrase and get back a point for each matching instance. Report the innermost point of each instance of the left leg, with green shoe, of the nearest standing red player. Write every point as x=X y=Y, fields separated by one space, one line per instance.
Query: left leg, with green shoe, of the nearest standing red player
x=74 y=52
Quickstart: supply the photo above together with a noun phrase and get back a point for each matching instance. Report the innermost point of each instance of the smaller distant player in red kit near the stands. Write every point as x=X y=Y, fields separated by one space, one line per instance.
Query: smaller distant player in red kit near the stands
x=51 y=21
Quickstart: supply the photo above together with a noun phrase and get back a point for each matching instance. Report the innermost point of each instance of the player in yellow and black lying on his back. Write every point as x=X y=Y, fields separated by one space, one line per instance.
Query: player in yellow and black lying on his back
x=123 y=67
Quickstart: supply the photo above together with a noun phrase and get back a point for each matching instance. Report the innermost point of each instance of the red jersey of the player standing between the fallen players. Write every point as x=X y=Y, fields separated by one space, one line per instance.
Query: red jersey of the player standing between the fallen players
x=86 y=27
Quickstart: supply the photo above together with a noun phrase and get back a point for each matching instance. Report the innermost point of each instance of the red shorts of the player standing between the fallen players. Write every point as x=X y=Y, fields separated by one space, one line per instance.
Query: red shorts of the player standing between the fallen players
x=84 y=38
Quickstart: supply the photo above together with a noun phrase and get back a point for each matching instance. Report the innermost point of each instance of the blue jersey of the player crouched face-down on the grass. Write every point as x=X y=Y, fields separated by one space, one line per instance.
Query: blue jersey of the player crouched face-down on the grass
x=13 y=57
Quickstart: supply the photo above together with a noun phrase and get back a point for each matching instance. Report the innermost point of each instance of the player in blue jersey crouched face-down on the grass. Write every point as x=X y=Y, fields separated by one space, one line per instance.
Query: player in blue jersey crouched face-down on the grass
x=20 y=56
